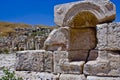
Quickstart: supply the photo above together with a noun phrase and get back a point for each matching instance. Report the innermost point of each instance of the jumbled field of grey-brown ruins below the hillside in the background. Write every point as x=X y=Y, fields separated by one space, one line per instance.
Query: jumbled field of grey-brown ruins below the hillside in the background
x=24 y=39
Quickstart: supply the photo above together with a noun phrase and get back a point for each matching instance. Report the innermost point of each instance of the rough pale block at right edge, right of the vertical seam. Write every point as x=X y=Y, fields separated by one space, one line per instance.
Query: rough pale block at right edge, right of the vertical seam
x=114 y=36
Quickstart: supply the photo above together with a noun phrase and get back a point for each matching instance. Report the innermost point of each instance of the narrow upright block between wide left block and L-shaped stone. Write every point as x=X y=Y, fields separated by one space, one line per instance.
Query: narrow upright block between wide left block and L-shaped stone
x=48 y=61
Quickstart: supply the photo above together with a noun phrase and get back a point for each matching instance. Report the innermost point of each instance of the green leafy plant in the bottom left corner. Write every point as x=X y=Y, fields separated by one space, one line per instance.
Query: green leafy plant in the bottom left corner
x=9 y=75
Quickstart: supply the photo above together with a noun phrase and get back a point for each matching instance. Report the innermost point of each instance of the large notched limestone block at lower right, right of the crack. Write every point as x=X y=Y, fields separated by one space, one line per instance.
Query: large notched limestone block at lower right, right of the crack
x=107 y=64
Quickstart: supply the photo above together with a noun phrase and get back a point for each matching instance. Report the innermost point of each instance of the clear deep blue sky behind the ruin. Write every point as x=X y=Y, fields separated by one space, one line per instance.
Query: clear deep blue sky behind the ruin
x=35 y=11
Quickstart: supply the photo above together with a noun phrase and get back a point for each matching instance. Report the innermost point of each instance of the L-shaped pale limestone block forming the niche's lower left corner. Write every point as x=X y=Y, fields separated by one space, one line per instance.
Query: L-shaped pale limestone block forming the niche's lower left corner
x=63 y=65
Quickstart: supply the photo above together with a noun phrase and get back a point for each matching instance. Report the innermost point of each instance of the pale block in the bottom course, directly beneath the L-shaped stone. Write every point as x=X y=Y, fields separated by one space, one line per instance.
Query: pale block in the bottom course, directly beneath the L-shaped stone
x=72 y=77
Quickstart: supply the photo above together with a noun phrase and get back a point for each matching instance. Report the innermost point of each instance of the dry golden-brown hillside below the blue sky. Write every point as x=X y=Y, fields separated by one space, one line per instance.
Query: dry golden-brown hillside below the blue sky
x=6 y=27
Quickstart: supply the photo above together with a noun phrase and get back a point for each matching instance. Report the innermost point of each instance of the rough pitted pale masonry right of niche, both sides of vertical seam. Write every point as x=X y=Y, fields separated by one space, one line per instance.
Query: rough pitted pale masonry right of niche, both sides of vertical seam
x=108 y=36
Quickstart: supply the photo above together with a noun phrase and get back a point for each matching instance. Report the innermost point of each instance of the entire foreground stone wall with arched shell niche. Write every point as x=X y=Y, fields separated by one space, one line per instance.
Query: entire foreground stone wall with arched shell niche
x=86 y=46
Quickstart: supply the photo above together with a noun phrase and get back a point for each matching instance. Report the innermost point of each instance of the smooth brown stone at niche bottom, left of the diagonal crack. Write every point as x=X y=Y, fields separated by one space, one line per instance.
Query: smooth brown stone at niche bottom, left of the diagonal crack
x=80 y=55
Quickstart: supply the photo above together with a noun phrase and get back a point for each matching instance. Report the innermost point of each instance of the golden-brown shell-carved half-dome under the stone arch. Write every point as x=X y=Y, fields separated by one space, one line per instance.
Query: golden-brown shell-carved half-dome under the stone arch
x=84 y=19
